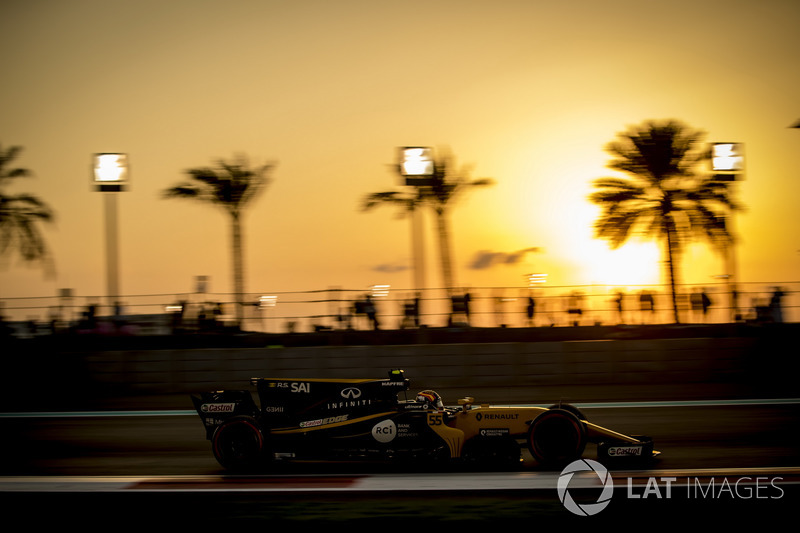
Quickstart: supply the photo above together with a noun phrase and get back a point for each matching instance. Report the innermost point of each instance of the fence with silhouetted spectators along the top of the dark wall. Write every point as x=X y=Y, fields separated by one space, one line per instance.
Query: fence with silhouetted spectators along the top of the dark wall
x=340 y=308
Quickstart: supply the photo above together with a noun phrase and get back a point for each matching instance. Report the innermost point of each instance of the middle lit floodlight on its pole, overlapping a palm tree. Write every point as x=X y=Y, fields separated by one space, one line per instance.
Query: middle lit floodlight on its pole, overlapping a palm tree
x=416 y=167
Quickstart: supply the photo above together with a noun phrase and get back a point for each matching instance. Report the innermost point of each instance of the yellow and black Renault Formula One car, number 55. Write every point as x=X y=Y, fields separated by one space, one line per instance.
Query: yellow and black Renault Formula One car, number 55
x=364 y=419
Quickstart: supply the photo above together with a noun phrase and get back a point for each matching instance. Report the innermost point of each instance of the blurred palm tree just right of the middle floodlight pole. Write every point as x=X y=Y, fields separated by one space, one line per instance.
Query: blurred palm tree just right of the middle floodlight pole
x=445 y=186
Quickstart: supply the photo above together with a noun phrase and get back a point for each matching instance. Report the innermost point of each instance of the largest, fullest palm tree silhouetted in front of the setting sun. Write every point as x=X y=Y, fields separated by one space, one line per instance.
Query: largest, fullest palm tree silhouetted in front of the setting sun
x=664 y=196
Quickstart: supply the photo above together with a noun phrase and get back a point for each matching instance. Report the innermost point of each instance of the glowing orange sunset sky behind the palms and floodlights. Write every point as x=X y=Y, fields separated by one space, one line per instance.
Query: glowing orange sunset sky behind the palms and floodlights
x=526 y=92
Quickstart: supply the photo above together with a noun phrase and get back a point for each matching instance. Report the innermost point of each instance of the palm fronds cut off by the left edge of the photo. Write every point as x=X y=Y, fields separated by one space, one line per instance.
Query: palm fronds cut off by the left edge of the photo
x=20 y=214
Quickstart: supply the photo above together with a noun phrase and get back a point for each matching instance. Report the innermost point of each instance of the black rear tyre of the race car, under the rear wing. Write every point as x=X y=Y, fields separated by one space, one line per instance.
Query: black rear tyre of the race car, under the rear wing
x=239 y=444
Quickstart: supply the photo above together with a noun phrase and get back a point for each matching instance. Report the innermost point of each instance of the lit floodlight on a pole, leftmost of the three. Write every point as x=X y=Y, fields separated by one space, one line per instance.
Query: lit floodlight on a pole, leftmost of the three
x=110 y=175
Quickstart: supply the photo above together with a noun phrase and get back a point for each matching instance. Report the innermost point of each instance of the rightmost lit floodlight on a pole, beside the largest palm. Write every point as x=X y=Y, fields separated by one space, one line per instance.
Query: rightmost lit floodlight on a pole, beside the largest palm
x=727 y=163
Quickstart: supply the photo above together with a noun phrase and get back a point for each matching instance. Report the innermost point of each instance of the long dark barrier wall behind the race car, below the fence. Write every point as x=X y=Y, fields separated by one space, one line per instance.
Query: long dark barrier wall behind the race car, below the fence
x=557 y=370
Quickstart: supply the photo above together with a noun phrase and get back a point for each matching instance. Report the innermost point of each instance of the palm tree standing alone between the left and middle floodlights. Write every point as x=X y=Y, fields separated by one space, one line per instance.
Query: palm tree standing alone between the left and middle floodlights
x=231 y=186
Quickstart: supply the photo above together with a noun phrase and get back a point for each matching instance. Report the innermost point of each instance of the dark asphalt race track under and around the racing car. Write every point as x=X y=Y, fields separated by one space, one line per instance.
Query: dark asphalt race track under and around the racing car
x=721 y=462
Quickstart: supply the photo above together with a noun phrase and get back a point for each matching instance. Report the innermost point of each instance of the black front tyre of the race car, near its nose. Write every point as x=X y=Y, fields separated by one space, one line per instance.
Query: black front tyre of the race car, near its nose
x=556 y=438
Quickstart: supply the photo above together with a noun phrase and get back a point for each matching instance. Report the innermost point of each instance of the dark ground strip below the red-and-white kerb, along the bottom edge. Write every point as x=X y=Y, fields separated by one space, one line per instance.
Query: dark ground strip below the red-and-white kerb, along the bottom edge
x=473 y=508
